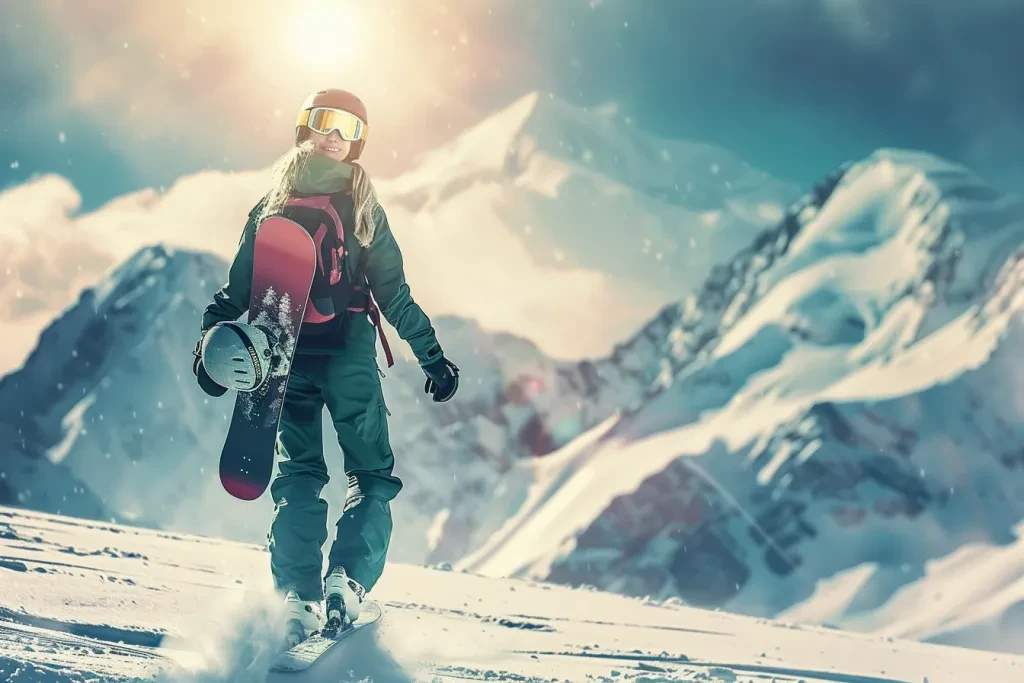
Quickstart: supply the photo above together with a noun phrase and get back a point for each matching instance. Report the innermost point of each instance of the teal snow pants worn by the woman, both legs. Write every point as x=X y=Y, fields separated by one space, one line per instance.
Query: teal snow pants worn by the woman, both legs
x=352 y=391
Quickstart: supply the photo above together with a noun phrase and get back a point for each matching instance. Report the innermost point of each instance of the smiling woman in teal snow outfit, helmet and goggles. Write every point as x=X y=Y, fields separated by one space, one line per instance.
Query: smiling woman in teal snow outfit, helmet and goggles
x=335 y=365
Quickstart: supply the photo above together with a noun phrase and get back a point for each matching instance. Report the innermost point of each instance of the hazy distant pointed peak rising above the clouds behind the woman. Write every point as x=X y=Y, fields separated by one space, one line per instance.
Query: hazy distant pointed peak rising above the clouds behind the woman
x=542 y=143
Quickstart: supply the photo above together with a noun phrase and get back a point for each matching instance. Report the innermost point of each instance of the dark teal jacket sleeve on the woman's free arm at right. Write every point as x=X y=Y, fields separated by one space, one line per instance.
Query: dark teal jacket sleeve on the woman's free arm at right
x=386 y=272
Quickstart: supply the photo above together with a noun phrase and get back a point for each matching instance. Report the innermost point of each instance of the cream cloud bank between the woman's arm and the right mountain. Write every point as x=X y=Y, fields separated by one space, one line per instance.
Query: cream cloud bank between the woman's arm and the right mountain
x=461 y=260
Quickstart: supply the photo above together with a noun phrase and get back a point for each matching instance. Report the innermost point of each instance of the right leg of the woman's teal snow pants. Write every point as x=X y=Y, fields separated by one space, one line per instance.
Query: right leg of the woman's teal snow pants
x=354 y=397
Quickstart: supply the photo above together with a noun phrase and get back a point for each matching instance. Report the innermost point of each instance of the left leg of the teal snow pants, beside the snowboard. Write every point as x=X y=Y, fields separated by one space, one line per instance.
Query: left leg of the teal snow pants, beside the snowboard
x=301 y=520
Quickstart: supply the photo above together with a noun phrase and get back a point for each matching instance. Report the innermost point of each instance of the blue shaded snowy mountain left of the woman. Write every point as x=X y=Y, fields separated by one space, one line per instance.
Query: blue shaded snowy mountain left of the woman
x=109 y=387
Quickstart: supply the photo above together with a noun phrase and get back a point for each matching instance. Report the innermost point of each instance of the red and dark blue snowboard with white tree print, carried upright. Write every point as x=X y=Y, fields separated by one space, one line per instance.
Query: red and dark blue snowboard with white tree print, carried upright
x=284 y=265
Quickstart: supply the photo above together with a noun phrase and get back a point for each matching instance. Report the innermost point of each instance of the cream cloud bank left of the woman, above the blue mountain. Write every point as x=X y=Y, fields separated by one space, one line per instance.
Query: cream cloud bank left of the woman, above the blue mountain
x=51 y=252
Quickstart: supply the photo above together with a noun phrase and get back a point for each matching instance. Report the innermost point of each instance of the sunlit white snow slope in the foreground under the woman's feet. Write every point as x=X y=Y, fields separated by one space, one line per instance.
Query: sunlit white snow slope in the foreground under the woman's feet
x=84 y=602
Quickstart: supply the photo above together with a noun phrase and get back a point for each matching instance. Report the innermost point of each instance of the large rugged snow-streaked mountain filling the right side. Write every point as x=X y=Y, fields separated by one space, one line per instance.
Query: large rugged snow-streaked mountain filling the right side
x=846 y=391
